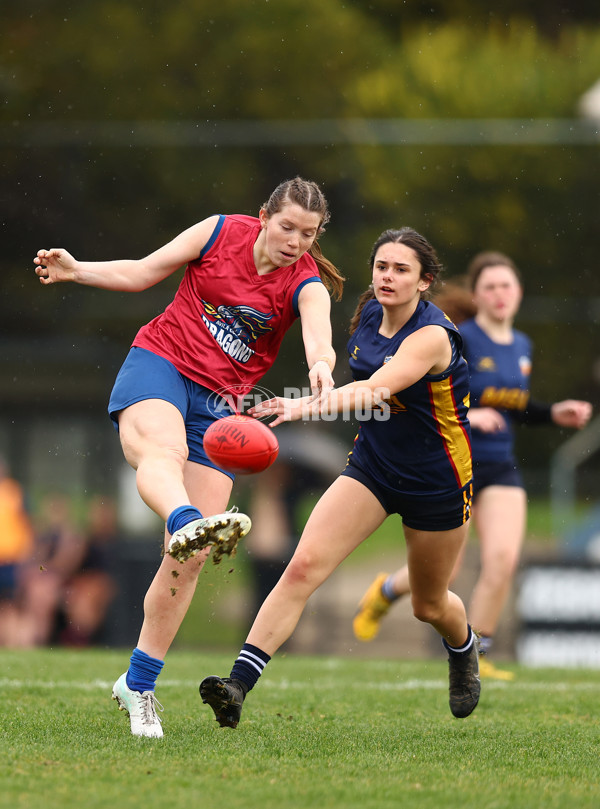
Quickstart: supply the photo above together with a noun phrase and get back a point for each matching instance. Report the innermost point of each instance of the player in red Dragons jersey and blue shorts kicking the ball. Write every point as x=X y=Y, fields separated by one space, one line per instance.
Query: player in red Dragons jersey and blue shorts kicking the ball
x=246 y=280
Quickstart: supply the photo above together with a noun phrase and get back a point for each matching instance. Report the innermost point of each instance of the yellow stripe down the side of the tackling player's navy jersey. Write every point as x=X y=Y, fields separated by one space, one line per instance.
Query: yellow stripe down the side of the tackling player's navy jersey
x=453 y=433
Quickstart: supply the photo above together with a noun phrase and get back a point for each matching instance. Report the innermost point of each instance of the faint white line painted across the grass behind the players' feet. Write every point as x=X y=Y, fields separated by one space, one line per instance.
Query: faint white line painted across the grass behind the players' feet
x=324 y=685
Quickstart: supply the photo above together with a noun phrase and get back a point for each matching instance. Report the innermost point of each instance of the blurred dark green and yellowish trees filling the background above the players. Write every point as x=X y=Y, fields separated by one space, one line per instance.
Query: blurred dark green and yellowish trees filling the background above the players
x=85 y=163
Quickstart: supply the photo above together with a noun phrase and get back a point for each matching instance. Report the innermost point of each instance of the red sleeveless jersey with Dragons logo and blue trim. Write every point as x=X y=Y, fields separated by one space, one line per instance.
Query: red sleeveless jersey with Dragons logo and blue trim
x=224 y=327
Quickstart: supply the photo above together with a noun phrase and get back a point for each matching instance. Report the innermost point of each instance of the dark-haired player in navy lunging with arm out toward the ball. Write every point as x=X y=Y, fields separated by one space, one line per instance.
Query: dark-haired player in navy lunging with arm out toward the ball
x=412 y=457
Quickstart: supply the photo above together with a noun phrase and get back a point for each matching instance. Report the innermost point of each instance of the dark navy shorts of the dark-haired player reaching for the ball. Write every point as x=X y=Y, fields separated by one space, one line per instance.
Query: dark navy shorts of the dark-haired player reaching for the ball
x=422 y=513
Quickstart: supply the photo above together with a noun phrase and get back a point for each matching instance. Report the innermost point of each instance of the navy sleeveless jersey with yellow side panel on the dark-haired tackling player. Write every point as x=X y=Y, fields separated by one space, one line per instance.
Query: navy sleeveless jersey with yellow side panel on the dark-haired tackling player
x=419 y=442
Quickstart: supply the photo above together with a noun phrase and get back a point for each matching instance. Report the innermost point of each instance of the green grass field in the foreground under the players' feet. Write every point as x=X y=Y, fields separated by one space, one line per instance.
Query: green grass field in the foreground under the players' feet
x=316 y=732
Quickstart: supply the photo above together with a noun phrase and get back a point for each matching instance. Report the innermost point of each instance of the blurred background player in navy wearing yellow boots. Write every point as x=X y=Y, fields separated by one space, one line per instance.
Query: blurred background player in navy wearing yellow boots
x=500 y=361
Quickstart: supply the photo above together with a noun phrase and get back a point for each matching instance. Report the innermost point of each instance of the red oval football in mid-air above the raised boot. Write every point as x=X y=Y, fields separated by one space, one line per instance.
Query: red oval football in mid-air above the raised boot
x=241 y=444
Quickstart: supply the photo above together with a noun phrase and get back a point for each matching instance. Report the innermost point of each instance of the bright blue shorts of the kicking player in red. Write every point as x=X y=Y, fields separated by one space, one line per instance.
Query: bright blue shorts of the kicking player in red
x=145 y=375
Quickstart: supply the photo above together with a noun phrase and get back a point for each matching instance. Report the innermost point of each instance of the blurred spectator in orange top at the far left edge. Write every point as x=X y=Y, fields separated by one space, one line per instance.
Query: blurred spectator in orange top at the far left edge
x=16 y=544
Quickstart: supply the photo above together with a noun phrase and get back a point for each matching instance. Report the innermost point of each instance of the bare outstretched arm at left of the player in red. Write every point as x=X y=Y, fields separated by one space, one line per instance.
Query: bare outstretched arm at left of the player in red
x=125 y=275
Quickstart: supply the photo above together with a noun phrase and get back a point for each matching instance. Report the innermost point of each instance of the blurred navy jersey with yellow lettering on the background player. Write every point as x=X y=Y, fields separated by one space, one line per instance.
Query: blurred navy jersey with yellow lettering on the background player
x=500 y=379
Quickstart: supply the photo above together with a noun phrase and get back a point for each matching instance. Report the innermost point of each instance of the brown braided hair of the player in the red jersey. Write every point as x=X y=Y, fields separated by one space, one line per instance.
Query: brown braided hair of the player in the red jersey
x=309 y=196
